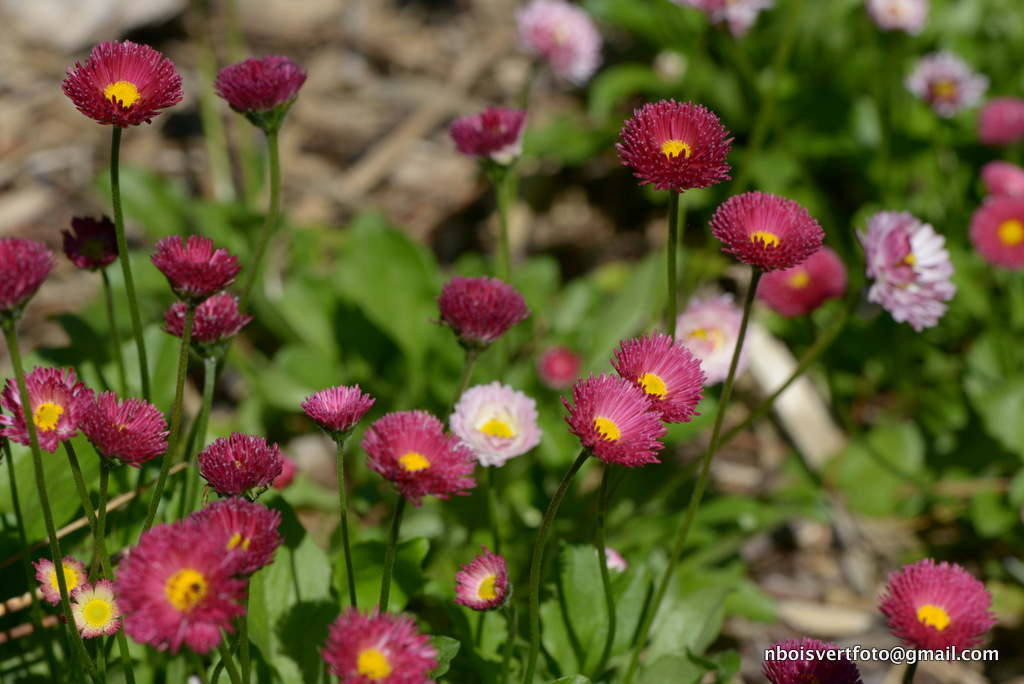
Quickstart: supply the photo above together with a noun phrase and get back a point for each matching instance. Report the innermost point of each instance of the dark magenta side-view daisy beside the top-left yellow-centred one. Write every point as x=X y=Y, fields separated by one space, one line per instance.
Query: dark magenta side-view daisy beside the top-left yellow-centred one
x=262 y=90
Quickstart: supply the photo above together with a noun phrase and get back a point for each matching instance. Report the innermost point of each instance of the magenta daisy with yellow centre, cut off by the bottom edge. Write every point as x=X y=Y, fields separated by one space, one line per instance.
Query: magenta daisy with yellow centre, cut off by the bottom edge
x=366 y=649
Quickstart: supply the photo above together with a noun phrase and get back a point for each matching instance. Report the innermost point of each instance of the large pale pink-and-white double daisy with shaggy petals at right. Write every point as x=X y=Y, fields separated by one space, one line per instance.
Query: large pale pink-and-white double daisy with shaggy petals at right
x=911 y=267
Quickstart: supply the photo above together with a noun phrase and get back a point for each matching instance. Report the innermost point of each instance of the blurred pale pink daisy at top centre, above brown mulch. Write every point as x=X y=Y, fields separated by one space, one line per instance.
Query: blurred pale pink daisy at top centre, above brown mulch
x=563 y=35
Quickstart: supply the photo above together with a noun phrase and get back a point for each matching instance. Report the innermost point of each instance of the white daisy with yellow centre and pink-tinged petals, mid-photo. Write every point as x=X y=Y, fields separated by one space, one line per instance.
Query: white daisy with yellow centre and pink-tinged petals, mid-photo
x=497 y=422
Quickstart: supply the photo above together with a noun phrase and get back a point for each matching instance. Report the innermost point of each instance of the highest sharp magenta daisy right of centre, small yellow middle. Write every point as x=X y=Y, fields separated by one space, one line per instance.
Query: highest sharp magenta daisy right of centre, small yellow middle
x=676 y=146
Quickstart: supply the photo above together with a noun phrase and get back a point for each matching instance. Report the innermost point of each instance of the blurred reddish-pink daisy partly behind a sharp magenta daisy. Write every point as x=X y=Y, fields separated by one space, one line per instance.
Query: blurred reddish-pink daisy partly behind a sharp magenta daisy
x=799 y=290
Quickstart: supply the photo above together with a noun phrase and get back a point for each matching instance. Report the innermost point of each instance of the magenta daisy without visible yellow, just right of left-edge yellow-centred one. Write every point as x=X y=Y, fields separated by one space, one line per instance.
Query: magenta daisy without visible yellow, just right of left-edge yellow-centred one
x=132 y=431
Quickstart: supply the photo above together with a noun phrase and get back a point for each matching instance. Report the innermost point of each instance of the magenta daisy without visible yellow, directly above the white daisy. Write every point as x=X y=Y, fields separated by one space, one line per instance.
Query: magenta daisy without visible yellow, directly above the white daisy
x=481 y=310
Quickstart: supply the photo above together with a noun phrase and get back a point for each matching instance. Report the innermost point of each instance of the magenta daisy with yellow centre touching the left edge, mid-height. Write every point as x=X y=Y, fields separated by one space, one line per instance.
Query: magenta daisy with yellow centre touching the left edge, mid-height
x=59 y=403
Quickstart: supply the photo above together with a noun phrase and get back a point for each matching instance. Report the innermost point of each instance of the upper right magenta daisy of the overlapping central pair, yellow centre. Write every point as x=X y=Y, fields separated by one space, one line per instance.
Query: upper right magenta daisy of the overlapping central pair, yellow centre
x=666 y=371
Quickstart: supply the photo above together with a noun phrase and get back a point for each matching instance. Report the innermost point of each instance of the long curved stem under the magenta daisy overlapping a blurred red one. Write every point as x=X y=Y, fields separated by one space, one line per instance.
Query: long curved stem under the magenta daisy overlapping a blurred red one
x=677 y=551
